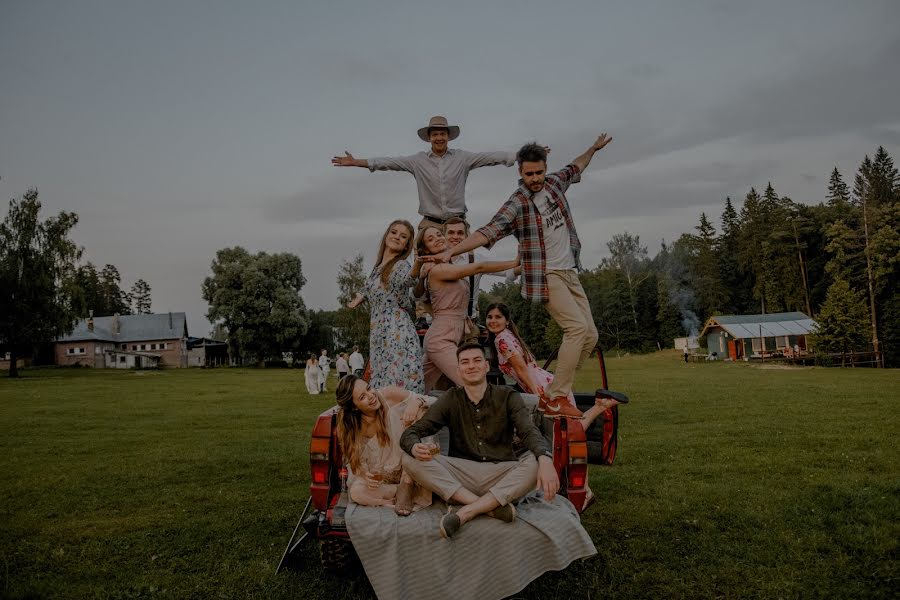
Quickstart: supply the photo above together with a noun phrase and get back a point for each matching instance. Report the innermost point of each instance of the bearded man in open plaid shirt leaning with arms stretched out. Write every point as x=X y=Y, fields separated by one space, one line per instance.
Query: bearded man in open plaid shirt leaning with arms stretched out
x=538 y=215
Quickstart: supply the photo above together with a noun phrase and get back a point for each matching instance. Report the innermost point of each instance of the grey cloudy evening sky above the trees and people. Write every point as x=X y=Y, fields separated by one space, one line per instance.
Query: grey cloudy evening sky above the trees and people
x=176 y=128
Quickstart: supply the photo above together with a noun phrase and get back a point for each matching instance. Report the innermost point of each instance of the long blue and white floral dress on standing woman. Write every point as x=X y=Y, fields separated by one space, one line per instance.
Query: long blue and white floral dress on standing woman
x=394 y=348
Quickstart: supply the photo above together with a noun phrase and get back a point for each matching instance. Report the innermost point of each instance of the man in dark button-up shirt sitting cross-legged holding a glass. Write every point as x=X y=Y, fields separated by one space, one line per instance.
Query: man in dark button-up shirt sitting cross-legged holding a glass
x=482 y=472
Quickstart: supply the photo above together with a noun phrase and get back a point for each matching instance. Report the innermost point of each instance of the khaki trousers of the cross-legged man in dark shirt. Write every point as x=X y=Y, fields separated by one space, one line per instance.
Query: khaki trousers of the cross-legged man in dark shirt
x=444 y=475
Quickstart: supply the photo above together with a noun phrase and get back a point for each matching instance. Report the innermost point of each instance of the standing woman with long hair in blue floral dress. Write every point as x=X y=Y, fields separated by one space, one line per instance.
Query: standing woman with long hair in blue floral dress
x=394 y=350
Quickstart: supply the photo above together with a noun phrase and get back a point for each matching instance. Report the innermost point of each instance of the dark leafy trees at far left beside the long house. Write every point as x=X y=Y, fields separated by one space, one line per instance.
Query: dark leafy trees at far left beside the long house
x=44 y=290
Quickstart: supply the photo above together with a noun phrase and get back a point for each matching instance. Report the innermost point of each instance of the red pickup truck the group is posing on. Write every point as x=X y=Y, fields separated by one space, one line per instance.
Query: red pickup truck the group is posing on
x=573 y=450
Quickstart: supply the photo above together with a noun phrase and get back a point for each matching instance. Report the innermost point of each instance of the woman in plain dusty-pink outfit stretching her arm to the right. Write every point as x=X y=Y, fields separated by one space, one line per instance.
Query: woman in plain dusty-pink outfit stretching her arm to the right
x=449 y=292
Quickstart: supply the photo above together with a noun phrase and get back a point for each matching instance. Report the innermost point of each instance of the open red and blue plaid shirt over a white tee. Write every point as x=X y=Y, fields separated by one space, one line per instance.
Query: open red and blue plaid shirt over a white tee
x=520 y=217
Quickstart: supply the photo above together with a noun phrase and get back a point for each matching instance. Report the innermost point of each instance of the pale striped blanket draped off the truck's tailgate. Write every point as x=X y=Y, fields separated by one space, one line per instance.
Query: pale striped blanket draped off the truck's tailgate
x=405 y=557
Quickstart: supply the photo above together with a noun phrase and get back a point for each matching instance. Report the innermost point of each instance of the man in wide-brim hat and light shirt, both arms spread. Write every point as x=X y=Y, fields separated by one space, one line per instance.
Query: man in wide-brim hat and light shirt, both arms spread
x=440 y=172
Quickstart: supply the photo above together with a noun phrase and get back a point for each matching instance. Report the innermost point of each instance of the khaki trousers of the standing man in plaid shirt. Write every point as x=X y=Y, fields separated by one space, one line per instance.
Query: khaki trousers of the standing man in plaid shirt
x=569 y=307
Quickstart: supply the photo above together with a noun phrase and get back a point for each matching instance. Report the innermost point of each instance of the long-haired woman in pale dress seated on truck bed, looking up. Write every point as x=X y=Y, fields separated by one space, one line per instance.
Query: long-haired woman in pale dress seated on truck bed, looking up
x=370 y=422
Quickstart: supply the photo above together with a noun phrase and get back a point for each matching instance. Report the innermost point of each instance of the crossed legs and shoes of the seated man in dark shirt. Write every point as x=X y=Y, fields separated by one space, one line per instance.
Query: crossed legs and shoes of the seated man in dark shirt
x=481 y=487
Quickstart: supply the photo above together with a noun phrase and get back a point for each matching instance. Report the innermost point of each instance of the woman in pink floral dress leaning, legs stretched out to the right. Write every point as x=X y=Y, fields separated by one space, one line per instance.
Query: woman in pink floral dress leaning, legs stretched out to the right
x=517 y=361
